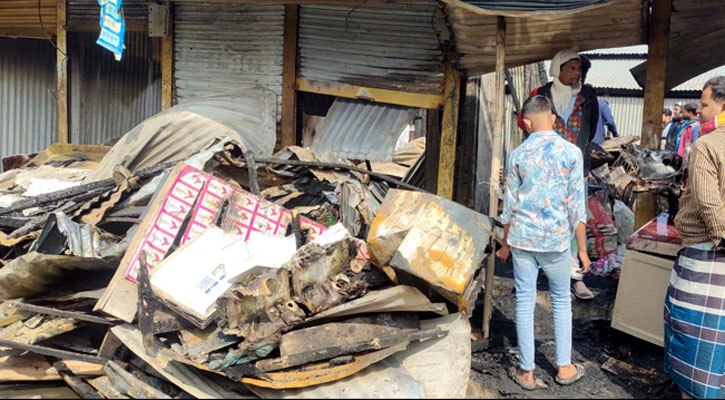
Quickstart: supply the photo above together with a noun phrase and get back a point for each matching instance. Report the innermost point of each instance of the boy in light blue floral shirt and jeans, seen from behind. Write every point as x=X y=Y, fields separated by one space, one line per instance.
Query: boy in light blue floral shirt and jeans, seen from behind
x=543 y=209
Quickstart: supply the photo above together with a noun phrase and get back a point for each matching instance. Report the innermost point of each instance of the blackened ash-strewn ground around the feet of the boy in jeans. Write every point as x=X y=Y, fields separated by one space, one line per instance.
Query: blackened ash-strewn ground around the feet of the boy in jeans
x=594 y=342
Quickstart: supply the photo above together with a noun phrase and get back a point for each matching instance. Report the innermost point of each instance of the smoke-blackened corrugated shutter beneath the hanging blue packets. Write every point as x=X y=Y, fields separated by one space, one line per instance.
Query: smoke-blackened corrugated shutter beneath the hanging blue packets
x=109 y=97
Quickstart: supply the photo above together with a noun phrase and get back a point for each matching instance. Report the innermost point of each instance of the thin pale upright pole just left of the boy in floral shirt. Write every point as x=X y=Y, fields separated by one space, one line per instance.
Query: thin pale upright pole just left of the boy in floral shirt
x=497 y=146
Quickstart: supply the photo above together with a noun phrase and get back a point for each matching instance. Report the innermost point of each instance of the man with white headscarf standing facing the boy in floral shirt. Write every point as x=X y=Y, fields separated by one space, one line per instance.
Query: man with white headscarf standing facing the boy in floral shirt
x=577 y=114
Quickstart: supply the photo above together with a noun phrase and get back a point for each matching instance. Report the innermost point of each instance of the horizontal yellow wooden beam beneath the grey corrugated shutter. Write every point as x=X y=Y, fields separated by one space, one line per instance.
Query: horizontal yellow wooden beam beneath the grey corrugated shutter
x=408 y=99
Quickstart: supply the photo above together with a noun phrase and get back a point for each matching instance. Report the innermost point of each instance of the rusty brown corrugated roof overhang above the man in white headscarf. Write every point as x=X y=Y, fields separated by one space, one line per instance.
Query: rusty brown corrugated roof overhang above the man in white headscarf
x=530 y=39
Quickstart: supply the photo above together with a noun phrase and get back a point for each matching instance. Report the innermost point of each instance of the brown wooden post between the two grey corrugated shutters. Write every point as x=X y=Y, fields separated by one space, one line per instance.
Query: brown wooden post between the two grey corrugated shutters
x=289 y=76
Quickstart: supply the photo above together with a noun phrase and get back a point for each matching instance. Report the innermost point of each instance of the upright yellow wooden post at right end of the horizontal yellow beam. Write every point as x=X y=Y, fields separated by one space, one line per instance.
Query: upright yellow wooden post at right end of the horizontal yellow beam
x=449 y=131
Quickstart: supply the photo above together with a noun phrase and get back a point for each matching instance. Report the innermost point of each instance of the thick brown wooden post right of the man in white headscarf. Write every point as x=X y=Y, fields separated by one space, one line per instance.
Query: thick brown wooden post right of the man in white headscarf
x=654 y=90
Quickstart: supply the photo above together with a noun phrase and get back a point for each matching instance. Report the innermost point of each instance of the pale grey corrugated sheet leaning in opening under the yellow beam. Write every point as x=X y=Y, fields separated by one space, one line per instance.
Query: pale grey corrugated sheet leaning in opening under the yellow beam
x=361 y=130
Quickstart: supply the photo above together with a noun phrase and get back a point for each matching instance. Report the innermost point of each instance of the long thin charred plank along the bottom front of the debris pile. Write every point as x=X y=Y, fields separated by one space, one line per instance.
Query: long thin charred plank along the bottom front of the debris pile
x=357 y=347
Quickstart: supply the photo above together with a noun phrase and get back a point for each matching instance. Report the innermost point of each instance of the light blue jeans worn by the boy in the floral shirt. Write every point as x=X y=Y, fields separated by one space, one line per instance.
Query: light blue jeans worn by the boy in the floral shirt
x=557 y=267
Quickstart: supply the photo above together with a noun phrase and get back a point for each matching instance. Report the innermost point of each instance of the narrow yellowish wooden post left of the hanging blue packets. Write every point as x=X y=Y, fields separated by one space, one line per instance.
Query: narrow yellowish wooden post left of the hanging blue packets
x=62 y=73
